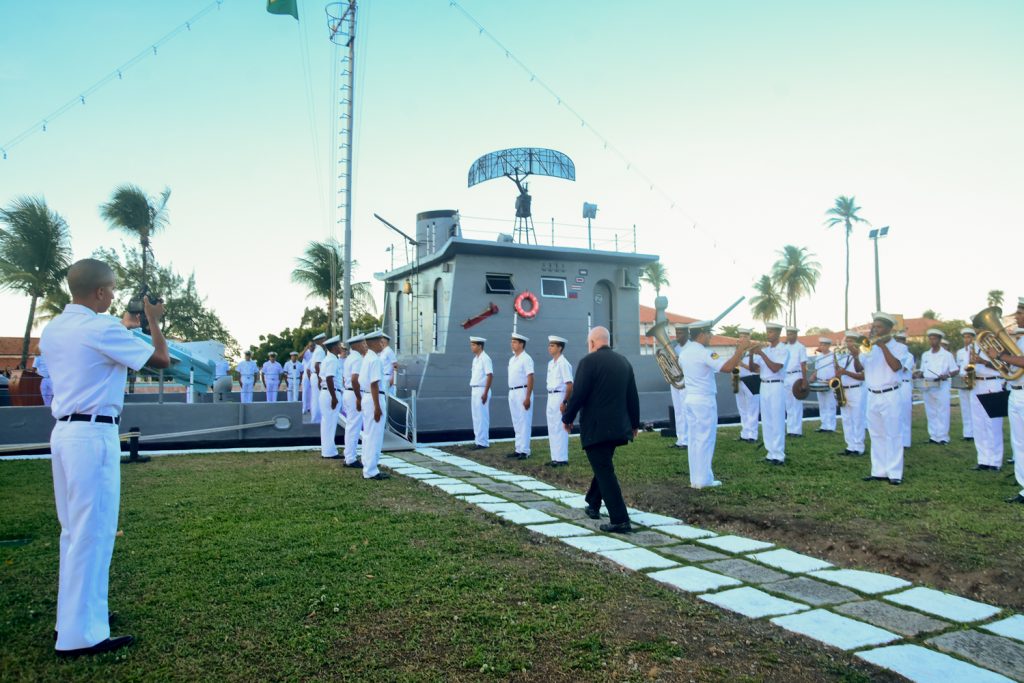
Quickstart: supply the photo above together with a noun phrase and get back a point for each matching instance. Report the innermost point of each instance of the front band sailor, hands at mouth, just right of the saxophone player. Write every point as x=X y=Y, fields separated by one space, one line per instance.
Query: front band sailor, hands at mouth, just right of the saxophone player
x=883 y=364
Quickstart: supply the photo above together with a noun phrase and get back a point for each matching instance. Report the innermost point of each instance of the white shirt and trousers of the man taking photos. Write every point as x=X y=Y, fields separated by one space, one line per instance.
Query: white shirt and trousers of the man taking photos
x=89 y=360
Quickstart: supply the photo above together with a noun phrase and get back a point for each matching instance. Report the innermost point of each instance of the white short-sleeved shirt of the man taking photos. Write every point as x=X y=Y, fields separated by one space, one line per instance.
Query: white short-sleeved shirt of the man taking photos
x=89 y=357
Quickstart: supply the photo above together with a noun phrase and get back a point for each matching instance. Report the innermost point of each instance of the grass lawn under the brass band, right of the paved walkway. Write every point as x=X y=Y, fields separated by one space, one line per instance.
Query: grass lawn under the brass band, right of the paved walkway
x=947 y=527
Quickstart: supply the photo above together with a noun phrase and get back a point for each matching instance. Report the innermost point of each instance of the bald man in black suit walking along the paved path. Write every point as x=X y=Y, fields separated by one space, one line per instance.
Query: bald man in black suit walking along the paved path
x=606 y=395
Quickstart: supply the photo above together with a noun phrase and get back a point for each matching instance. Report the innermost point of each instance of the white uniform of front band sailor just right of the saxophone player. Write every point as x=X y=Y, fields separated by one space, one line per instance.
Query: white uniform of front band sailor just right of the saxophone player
x=884 y=412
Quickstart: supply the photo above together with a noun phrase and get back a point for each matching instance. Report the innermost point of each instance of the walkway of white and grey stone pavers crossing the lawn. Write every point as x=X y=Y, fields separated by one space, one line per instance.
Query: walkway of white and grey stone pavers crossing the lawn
x=920 y=633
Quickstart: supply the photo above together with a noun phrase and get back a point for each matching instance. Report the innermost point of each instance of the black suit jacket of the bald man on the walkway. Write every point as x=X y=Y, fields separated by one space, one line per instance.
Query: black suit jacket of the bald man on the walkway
x=605 y=393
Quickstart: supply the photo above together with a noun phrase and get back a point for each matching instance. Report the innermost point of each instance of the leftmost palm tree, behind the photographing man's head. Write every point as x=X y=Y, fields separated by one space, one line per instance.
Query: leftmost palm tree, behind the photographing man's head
x=35 y=254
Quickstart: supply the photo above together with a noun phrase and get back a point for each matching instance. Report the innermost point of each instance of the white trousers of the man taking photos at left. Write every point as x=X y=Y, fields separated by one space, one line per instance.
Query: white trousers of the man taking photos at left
x=87 y=465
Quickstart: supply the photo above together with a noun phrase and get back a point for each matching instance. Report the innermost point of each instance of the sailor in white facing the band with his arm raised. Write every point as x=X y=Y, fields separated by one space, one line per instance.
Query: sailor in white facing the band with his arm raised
x=700 y=365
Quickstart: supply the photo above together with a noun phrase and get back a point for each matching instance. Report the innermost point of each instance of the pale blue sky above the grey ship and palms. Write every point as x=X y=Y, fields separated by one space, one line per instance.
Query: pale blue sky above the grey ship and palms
x=722 y=132
